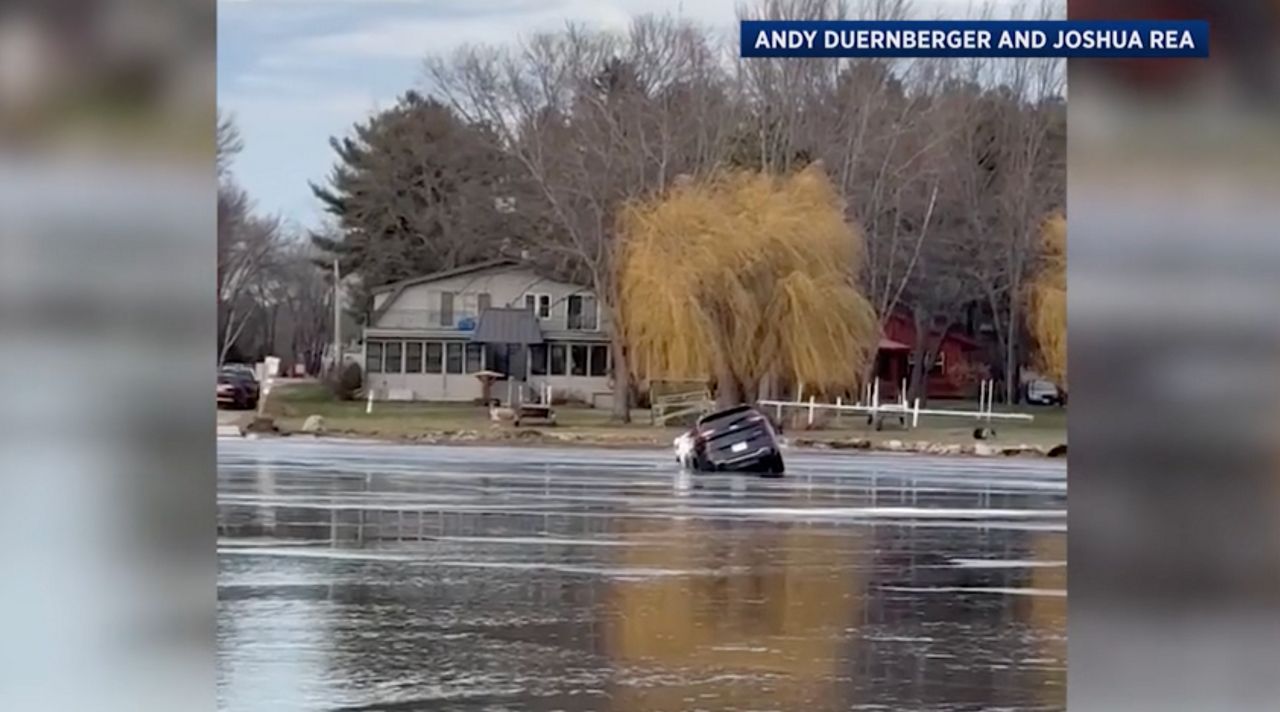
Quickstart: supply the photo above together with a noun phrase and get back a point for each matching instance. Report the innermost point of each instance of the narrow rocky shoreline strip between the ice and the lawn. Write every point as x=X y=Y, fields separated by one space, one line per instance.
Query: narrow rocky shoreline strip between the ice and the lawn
x=807 y=442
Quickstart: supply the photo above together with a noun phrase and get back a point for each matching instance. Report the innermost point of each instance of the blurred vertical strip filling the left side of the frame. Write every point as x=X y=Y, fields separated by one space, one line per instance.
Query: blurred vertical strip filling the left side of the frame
x=107 y=322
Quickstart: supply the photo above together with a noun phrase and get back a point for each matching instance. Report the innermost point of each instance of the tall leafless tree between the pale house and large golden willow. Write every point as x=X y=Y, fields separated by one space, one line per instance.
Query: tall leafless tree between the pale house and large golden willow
x=596 y=120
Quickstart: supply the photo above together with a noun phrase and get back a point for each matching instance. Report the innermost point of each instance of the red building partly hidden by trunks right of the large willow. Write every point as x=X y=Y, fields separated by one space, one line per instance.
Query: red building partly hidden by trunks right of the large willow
x=952 y=375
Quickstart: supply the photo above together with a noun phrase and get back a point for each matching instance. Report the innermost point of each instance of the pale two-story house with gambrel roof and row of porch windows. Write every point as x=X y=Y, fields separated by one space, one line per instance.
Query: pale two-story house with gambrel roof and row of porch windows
x=429 y=336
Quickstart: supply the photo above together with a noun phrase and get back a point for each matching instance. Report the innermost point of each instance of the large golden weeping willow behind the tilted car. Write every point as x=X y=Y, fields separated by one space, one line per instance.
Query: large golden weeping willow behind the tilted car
x=747 y=281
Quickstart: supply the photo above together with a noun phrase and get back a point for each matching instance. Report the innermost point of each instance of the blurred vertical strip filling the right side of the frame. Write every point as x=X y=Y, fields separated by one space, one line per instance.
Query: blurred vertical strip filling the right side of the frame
x=1174 y=179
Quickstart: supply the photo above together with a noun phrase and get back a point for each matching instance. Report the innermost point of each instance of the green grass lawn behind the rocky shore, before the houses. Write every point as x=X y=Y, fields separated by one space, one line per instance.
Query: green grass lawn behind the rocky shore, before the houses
x=291 y=405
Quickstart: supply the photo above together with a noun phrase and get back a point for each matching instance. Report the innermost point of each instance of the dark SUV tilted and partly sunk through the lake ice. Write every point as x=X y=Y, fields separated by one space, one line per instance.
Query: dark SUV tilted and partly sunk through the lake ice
x=738 y=440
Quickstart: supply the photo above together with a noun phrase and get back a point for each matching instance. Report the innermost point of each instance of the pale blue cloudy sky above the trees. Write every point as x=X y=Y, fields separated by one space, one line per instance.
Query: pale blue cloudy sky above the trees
x=296 y=72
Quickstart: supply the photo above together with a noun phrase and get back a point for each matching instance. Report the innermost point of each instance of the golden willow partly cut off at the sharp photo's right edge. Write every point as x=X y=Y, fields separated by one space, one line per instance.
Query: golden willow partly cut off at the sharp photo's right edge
x=1046 y=300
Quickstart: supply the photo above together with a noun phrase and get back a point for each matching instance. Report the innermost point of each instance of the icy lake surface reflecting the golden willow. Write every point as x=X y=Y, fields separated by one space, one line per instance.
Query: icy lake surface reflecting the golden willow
x=403 y=578
